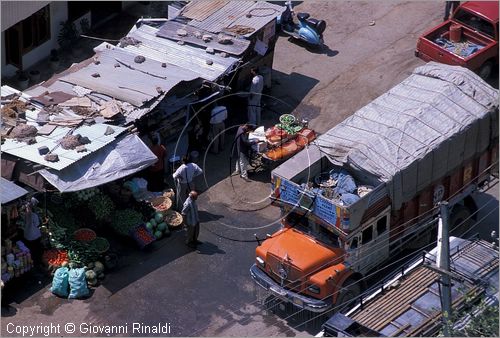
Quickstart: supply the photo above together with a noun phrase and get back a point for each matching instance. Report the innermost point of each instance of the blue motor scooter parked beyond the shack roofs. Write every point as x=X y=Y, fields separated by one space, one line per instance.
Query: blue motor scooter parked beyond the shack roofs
x=307 y=29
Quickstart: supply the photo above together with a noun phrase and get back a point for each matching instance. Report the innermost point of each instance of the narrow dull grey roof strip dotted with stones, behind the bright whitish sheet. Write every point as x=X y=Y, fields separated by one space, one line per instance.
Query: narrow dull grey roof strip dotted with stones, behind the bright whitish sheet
x=169 y=30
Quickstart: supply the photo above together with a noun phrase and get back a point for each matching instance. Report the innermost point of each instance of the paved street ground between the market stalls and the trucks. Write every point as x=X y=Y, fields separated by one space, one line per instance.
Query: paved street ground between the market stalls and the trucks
x=208 y=292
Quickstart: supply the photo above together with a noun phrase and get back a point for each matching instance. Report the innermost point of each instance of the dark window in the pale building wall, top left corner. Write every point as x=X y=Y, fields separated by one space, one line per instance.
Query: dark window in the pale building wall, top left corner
x=27 y=35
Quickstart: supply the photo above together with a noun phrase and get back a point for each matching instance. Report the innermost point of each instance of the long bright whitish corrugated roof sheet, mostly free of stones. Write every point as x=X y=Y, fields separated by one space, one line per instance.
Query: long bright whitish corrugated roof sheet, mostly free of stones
x=184 y=56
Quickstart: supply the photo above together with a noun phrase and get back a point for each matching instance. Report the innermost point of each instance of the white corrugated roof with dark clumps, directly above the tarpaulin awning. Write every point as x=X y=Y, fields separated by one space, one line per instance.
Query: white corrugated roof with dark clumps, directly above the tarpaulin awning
x=95 y=133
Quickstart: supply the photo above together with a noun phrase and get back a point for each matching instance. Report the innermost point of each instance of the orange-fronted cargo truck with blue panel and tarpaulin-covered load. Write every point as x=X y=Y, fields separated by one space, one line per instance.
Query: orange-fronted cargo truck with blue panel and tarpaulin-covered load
x=369 y=187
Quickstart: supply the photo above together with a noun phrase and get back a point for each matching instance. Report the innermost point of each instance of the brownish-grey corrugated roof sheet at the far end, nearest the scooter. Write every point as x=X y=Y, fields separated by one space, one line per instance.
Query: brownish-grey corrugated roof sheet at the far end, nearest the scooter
x=235 y=13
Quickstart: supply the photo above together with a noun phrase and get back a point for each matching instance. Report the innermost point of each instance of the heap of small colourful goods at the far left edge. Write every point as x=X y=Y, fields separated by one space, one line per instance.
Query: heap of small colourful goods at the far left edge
x=16 y=260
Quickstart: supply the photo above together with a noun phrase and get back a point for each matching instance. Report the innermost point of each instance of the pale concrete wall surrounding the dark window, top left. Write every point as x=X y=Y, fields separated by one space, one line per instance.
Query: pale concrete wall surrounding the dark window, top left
x=58 y=13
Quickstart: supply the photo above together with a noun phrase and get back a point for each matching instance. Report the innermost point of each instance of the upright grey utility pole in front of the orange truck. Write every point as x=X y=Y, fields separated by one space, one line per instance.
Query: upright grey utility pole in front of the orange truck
x=443 y=262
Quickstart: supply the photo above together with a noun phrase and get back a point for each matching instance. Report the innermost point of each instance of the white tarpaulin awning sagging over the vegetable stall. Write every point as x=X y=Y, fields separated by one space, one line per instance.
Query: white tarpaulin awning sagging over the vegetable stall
x=117 y=160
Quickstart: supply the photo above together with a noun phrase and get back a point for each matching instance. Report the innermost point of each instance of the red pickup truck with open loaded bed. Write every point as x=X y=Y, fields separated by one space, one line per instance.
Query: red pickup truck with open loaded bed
x=468 y=39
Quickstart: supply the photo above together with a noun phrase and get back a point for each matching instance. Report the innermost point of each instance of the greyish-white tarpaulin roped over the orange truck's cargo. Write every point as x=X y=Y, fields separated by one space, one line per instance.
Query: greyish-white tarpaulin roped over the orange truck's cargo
x=418 y=131
